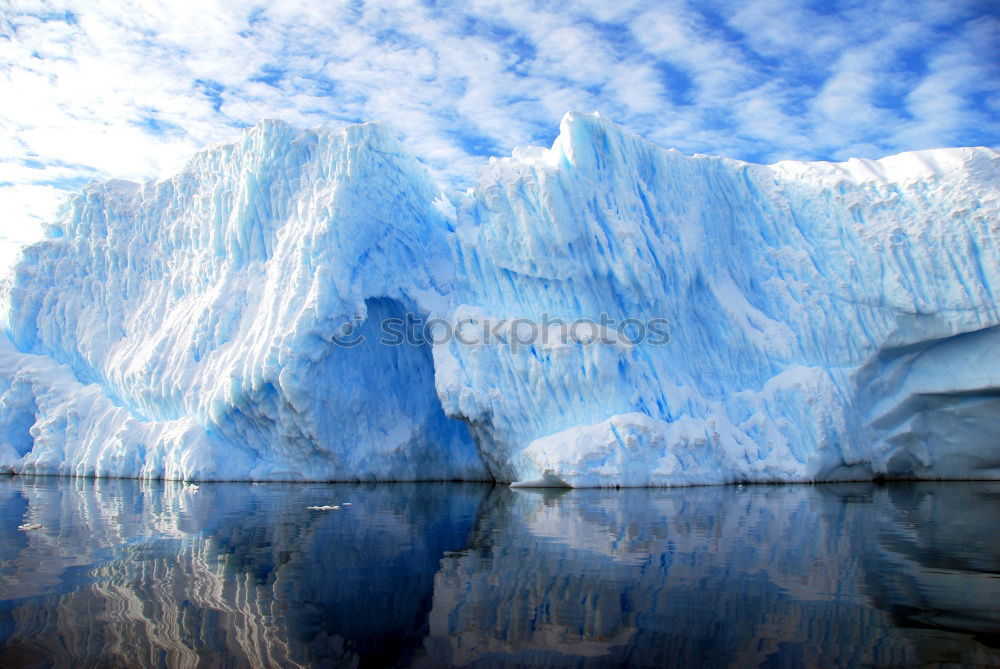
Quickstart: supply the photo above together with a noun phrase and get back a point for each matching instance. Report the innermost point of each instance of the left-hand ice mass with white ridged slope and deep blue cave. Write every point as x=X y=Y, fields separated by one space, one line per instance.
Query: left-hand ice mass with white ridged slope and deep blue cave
x=182 y=328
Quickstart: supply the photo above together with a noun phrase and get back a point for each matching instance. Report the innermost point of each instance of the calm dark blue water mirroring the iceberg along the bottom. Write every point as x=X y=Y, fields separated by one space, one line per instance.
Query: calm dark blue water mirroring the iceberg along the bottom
x=135 y=574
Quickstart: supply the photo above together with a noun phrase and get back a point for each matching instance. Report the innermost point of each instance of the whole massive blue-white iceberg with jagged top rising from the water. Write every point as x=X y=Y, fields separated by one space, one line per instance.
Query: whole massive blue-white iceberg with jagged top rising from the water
x=826 y=321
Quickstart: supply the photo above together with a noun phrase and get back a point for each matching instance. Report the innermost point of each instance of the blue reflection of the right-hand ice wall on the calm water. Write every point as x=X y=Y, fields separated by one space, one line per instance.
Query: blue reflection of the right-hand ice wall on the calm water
x=702 y=576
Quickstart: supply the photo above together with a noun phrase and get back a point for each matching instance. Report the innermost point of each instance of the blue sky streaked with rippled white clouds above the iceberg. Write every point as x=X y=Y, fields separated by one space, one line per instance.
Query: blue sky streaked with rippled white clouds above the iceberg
x=93 y=89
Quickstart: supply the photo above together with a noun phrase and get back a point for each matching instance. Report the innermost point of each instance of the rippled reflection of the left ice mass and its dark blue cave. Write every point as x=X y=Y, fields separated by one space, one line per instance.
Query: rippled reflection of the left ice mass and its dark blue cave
x=120 y=578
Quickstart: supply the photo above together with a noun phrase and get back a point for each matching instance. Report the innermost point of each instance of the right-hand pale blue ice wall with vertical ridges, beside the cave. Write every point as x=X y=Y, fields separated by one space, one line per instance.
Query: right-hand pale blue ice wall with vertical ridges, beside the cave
x=826 y=320
